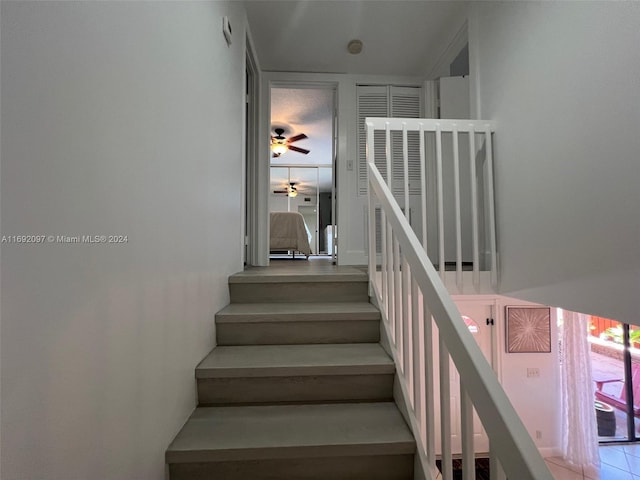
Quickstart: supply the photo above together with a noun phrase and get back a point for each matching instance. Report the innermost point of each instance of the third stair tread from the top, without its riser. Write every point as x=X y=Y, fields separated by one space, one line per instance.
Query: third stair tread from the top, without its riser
x=280 y=360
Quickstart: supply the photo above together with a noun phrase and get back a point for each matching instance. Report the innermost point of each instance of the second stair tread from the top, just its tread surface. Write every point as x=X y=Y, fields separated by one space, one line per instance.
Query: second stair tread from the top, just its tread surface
x=265 y=312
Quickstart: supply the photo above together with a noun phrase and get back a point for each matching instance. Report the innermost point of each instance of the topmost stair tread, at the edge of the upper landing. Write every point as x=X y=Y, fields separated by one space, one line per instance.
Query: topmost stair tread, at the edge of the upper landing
x=297 y=275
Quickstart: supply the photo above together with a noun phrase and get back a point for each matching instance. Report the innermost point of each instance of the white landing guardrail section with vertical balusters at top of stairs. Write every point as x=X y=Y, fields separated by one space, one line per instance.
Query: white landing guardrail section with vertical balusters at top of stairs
x=457 y=211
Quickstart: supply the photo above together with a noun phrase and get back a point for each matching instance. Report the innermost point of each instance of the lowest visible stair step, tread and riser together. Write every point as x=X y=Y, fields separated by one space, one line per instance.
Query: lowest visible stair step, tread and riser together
x=367 y=441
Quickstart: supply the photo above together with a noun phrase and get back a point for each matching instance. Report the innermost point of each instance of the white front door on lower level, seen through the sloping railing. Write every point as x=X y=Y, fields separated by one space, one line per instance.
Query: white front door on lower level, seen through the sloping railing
x=475 y=314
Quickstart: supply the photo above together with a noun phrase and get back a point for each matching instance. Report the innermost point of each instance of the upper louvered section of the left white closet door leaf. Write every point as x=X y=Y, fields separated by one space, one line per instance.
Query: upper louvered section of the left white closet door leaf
x=372 y=102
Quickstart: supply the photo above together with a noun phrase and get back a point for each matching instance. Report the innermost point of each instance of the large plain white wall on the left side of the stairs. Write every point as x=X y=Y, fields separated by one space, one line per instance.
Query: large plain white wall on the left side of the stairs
x=111 y=119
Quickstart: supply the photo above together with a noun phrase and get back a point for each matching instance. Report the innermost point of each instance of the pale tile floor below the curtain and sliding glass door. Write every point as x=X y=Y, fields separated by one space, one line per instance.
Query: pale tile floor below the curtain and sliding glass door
x=617 y=462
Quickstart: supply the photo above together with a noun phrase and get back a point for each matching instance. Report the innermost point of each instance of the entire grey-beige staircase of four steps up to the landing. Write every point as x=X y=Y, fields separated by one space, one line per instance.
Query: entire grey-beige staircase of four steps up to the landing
x=298 y=387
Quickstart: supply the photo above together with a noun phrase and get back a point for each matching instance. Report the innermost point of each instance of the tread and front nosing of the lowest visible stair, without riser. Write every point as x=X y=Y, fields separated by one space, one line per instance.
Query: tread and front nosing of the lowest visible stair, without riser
x=291 y=431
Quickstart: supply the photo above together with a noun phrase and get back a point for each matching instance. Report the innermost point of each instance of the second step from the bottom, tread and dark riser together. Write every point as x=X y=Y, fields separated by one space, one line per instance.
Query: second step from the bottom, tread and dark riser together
x=295 y=373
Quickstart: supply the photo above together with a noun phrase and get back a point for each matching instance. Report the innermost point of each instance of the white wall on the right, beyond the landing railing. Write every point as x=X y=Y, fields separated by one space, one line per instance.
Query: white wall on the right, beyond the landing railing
x=562 y=81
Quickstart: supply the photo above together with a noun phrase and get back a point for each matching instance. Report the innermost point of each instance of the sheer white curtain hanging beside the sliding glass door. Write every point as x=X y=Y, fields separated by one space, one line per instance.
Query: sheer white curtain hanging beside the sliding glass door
x=580 y=432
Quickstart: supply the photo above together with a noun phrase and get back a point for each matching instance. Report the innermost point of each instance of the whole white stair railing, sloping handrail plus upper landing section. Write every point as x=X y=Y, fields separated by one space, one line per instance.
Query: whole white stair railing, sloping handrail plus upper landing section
x=413 y=299
